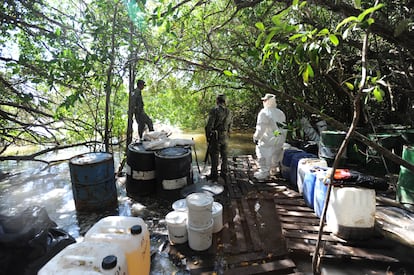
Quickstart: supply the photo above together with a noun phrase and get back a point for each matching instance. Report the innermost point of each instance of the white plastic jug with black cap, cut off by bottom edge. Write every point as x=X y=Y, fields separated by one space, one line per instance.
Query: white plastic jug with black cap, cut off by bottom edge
x=87 y=258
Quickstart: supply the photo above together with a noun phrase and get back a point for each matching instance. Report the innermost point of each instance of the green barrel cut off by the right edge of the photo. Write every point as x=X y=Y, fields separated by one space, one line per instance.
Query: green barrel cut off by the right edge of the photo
x=405 y=186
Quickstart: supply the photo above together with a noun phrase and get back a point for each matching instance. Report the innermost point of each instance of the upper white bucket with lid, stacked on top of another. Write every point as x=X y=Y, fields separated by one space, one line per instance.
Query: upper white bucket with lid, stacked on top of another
x=199 y=209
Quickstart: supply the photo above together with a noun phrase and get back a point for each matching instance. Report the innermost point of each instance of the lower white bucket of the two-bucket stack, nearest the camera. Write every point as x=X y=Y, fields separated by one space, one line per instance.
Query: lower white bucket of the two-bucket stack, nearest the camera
x=200 y=238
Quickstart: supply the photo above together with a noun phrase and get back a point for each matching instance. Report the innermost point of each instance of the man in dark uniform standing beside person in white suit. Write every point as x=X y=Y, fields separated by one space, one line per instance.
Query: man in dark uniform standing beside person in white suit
x=217 y=134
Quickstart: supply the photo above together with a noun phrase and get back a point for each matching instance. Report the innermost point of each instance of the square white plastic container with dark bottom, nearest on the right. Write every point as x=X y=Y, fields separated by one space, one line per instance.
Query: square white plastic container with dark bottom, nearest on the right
x=351 y=212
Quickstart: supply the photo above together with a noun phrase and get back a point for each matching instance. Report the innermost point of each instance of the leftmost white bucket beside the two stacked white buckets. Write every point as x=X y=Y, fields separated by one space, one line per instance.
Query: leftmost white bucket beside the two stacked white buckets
x=177 y=228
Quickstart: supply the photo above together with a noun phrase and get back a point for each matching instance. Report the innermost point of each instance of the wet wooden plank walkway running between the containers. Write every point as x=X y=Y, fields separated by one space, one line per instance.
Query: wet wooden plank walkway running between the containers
x=267 y=227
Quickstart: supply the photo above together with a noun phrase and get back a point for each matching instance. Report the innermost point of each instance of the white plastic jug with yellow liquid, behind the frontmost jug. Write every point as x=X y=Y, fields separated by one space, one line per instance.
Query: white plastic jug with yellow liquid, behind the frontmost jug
x=131 y=234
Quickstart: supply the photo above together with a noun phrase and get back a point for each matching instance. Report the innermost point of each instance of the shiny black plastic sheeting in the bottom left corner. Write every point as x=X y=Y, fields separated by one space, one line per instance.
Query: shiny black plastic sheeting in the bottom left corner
x=29 y=240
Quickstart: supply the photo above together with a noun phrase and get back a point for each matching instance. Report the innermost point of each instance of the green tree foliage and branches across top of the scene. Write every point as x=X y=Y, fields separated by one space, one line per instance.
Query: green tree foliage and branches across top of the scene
x=67 y=67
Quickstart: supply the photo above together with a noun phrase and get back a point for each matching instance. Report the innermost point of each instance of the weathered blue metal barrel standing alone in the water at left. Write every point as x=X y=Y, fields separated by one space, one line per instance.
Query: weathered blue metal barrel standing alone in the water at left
x=93 y=181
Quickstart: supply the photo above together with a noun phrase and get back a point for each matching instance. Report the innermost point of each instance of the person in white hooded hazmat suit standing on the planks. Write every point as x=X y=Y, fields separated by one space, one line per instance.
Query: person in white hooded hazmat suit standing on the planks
x=269 y=137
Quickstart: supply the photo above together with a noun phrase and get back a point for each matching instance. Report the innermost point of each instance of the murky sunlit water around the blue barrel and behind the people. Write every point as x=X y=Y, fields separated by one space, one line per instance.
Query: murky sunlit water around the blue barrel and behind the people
x=31 y=183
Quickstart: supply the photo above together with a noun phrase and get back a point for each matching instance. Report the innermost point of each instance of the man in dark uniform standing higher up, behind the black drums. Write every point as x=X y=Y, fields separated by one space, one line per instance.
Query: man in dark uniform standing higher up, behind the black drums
x=138 y=109
